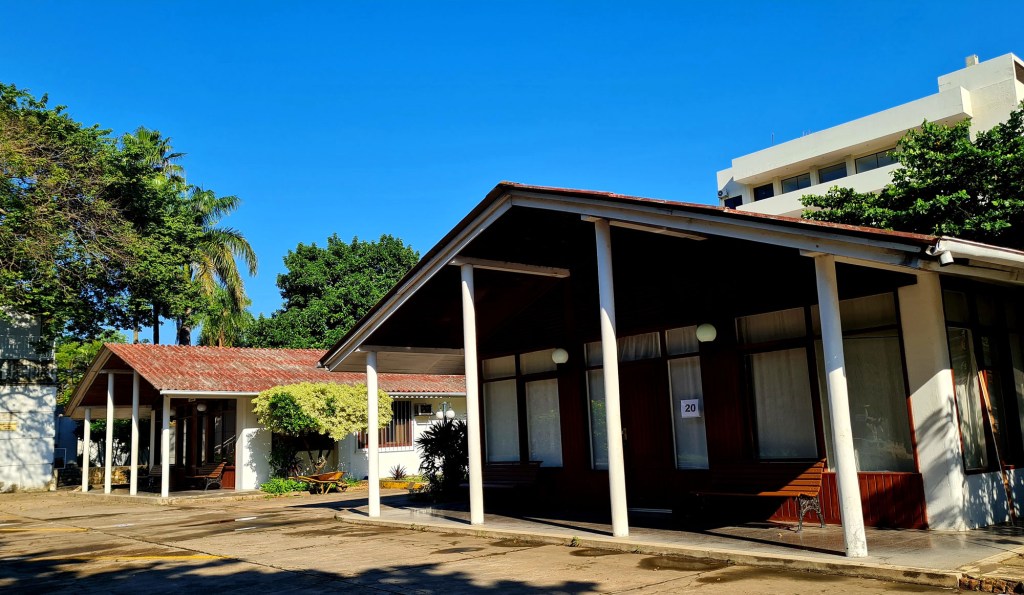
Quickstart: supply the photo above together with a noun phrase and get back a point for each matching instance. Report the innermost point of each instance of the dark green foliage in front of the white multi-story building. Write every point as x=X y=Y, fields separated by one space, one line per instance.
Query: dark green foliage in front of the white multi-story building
x=949 y=186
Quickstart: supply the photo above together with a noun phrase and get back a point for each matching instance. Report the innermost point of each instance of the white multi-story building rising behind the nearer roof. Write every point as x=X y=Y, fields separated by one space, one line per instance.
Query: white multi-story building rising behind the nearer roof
x=857 y=154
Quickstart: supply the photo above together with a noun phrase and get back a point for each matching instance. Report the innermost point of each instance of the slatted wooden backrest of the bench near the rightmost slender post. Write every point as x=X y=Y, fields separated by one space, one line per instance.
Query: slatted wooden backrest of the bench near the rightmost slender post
x=783 y=479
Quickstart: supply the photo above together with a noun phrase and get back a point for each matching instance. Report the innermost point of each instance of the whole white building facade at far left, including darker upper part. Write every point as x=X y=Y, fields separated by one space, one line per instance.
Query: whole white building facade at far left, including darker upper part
x=28 y=402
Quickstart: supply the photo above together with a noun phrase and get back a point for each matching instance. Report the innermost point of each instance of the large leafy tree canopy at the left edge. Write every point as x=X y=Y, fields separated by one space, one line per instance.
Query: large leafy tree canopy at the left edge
x=103 y=232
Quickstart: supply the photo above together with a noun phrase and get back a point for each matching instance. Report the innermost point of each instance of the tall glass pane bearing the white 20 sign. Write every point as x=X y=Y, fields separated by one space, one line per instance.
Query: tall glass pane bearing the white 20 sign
x=689 y=414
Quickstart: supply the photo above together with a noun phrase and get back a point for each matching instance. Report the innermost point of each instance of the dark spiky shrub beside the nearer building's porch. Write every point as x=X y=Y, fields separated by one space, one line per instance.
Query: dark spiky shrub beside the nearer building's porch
x=445 y=457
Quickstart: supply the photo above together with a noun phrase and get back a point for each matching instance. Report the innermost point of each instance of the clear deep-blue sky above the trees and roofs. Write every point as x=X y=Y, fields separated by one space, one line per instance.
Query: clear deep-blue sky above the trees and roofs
x=370 y=118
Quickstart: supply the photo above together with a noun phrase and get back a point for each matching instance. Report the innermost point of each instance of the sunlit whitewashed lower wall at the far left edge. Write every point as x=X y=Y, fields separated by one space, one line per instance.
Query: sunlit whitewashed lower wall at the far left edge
x=27 y=447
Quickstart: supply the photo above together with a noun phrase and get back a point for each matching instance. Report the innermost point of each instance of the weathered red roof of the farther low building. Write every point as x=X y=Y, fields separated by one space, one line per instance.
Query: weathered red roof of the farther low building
x=245 y=370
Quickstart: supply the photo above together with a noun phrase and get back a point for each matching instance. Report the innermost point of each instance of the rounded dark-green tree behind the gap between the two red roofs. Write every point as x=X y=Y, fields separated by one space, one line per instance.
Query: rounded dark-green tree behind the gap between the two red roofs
x=328 y=290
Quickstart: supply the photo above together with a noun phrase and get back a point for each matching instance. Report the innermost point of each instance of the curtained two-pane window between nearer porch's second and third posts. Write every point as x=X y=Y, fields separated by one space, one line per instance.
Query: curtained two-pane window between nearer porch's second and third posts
x=521 y=408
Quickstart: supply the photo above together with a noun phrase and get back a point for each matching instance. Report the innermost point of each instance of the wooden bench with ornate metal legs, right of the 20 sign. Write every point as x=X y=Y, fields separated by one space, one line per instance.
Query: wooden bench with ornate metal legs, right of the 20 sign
x=771 y=481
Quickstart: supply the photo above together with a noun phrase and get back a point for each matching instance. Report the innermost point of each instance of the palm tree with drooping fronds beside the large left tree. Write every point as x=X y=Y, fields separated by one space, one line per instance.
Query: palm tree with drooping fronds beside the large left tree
x=220 y=251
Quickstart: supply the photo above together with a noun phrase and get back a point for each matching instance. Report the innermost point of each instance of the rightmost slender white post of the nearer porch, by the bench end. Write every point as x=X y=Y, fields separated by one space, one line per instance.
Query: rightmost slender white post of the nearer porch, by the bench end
x=839 y=406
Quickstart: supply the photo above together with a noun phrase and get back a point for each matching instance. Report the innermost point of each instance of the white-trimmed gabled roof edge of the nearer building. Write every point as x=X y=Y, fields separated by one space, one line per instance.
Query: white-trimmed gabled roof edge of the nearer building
x=869 y=246
